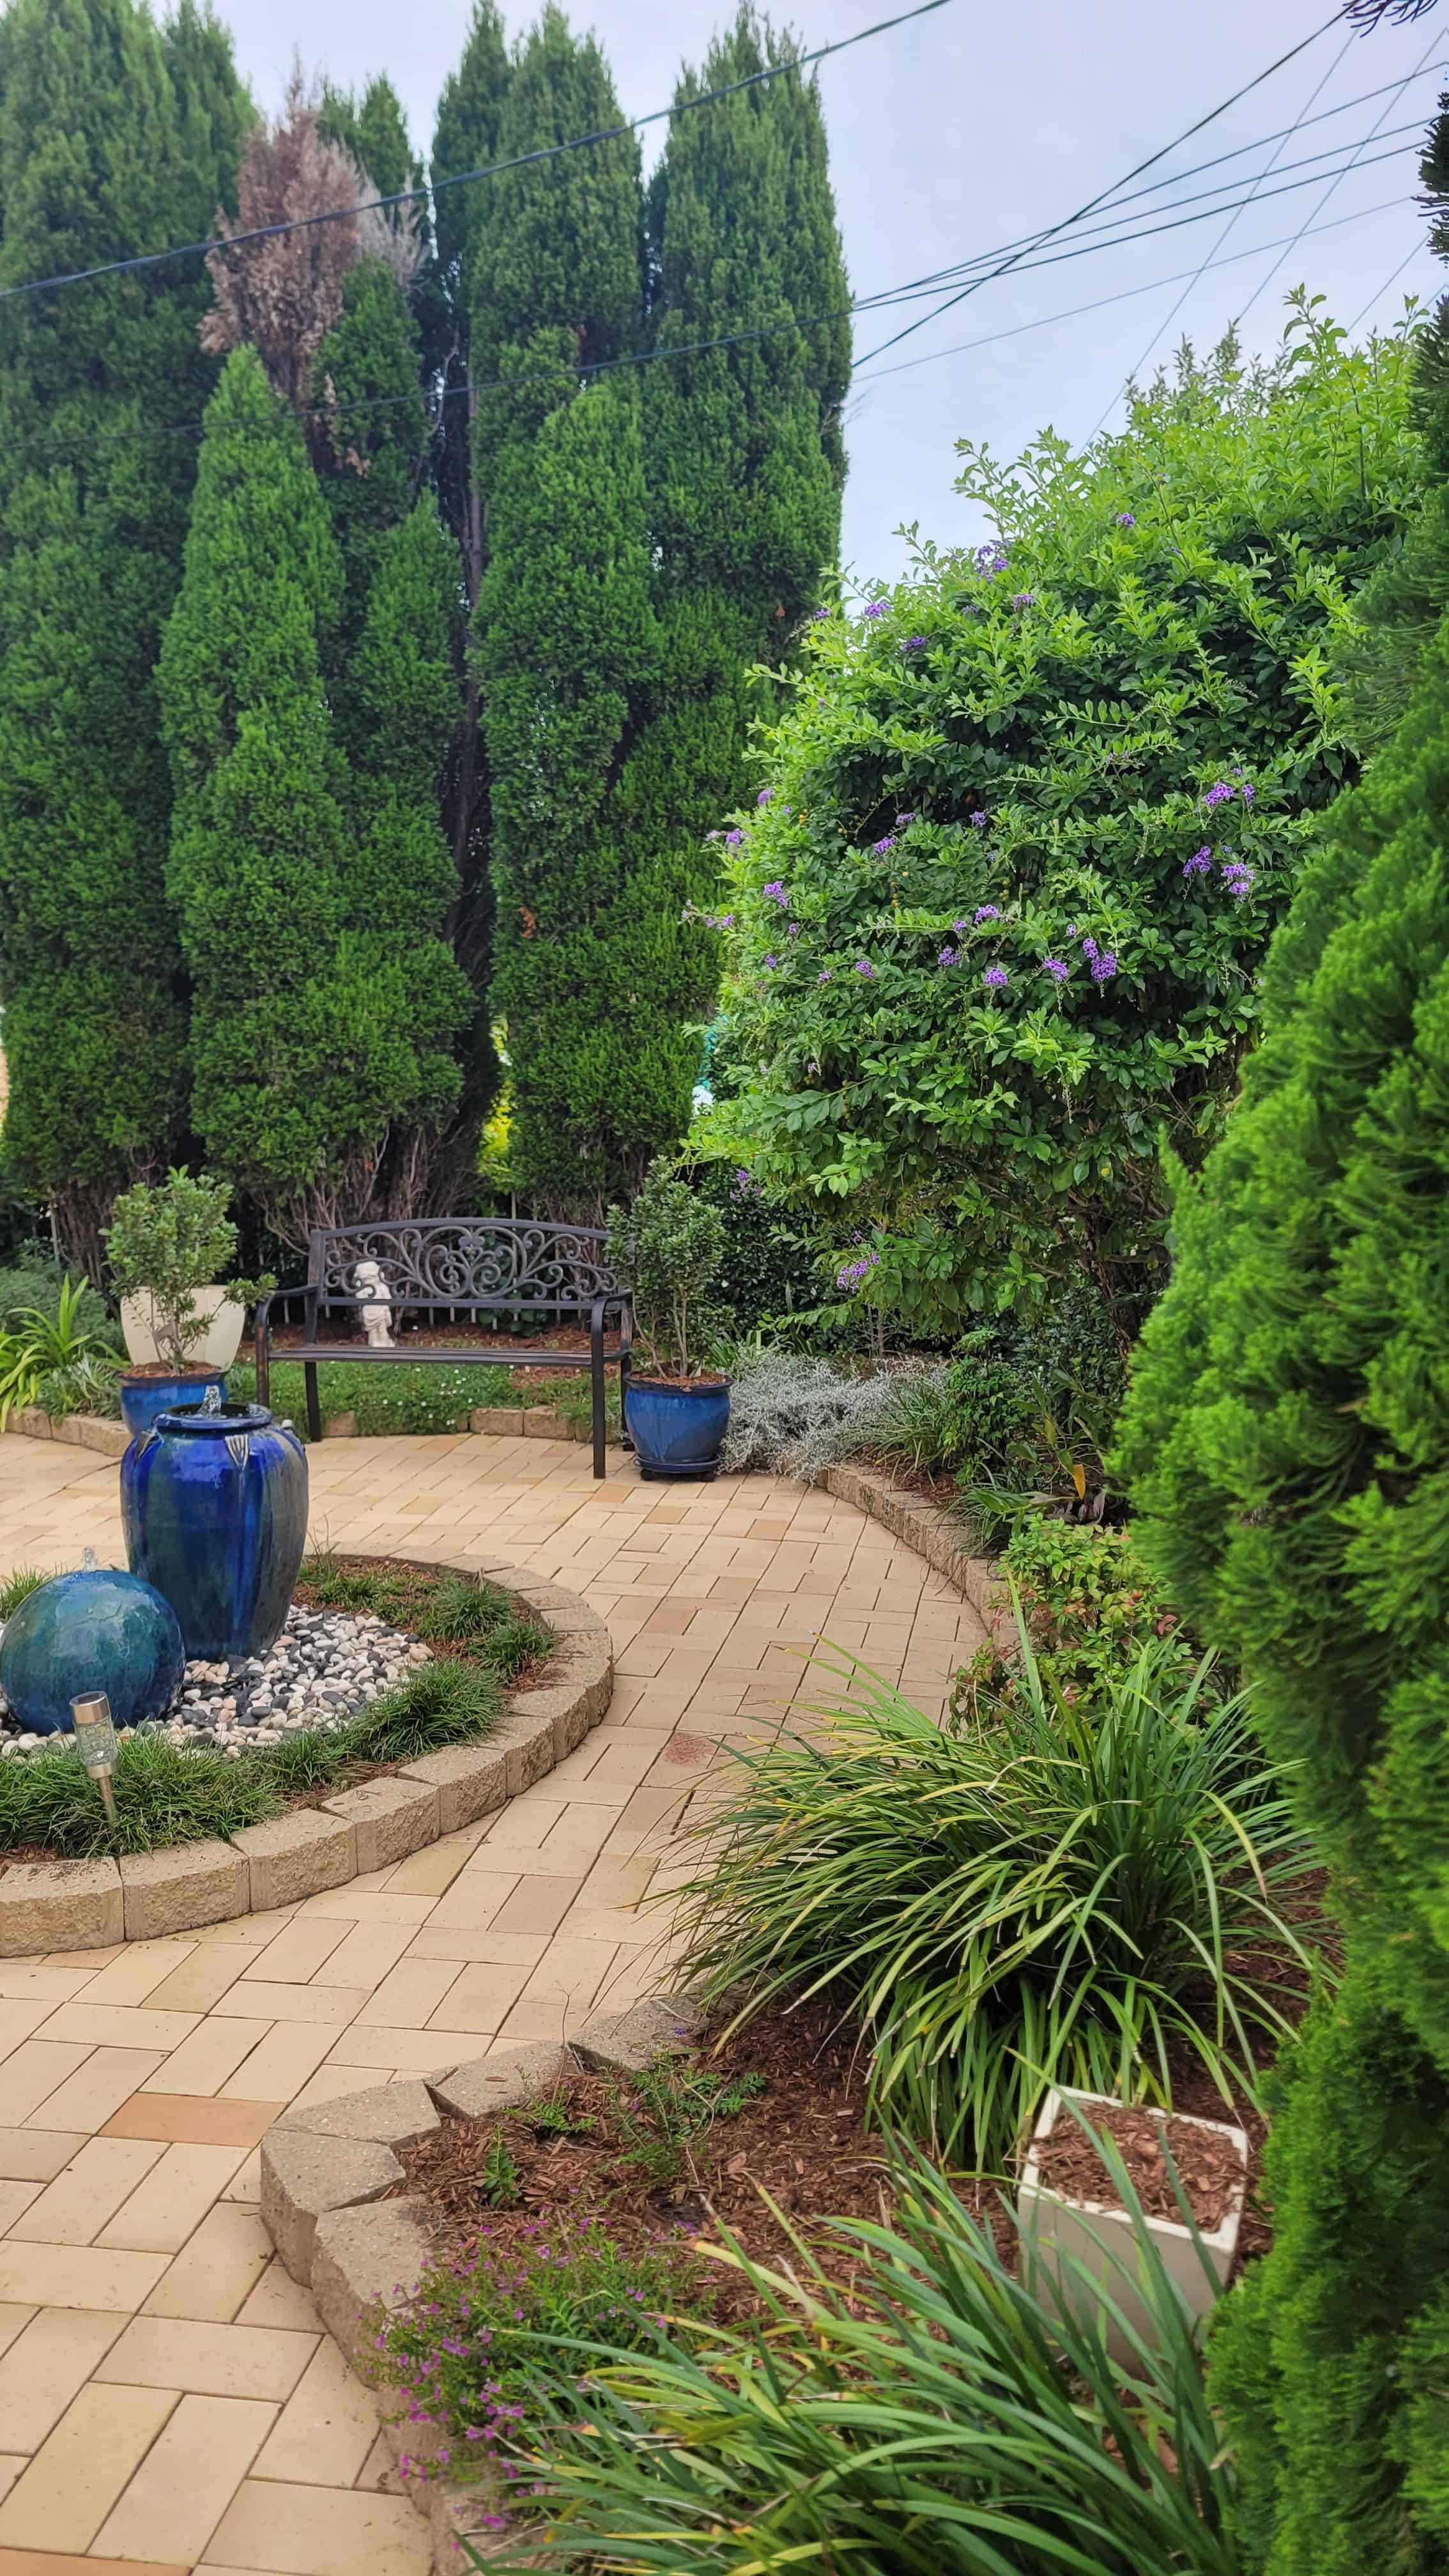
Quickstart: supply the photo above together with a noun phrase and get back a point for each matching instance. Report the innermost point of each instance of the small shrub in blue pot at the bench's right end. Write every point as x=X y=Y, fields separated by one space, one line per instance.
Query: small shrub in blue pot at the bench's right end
x=666 y=1251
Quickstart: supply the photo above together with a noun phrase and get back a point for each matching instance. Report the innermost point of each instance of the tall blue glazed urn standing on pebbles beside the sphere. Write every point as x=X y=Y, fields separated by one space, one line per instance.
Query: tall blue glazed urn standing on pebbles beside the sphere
x=215 y=1516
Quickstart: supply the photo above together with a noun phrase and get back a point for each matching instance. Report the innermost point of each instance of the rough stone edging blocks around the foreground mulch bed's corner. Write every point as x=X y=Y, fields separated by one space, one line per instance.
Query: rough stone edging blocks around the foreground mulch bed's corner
x=326 y=2165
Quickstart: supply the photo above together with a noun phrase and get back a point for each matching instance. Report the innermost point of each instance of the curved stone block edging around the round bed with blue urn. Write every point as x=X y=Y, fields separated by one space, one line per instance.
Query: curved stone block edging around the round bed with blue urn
x=86 y=1905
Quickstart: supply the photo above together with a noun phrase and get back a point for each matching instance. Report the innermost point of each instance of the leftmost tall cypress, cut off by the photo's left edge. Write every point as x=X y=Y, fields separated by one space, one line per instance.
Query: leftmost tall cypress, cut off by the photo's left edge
x=112 y=138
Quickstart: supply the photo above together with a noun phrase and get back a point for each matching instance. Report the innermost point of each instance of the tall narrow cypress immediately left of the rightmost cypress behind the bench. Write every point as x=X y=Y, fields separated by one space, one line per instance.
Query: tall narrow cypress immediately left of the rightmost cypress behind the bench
x=566 y=640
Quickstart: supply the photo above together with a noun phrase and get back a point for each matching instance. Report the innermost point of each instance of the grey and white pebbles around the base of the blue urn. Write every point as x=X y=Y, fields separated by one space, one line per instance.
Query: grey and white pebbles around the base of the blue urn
x=321 y=1671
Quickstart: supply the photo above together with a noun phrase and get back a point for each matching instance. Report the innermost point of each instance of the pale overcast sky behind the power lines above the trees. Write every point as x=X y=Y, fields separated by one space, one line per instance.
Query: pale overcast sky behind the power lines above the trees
x=976 y=128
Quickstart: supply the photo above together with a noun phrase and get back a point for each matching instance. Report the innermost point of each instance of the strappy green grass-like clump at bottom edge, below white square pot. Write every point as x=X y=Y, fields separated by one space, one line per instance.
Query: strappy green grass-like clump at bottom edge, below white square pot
x=935 y=2418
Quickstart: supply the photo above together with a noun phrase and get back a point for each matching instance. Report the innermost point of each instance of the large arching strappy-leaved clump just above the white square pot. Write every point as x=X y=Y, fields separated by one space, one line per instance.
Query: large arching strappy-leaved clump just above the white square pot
x=1069 y=1895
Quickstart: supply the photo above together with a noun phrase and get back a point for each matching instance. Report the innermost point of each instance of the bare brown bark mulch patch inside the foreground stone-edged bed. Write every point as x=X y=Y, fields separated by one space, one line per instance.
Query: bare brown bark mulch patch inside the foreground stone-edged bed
x=801 y=2142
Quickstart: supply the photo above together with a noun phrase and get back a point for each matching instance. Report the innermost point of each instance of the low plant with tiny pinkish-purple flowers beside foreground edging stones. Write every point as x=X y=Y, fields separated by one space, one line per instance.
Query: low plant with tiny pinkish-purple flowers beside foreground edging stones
x=491 y=2333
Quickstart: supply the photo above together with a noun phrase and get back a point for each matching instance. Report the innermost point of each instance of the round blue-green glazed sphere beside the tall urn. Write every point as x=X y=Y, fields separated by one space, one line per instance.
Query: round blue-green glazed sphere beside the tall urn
x=97 y=1629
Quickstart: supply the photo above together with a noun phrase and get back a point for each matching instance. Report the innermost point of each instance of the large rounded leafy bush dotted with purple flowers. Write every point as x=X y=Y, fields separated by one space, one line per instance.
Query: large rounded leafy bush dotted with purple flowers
x=1033 y=818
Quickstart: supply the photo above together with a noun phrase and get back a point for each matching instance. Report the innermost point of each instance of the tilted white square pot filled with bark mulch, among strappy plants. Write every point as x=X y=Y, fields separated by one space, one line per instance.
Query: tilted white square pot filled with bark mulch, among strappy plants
x=1071 y=2245
